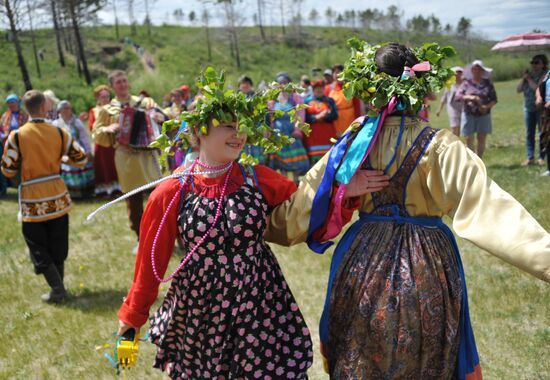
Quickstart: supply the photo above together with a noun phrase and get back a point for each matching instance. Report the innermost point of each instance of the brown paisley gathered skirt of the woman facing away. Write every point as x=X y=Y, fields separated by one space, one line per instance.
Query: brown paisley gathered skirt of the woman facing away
x=395 y=305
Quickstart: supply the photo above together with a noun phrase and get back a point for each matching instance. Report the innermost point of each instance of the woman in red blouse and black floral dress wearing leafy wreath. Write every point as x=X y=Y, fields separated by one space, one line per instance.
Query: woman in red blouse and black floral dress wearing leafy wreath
x=229 y=313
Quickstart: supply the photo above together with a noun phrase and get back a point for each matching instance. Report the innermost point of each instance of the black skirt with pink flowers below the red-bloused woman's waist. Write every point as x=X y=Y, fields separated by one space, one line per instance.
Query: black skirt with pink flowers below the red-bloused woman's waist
x=239 y=323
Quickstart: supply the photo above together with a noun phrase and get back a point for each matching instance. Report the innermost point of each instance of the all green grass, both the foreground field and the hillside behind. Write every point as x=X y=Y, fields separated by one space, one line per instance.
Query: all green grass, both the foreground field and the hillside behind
x=509 y=308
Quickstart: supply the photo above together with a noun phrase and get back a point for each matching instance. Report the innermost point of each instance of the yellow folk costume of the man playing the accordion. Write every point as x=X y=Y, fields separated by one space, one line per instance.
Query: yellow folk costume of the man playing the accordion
x=134 y=166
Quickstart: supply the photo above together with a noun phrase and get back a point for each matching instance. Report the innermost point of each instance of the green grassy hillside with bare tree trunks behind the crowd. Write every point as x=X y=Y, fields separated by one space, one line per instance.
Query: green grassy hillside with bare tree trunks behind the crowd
x=180 y=52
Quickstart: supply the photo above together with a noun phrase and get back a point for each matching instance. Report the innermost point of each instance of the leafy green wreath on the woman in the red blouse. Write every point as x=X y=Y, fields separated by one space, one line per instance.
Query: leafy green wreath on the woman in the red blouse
x=218 y=105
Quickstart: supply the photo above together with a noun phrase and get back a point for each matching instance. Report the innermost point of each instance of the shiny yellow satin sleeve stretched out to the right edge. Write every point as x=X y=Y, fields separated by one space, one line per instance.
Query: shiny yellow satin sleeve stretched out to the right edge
x=482 y=212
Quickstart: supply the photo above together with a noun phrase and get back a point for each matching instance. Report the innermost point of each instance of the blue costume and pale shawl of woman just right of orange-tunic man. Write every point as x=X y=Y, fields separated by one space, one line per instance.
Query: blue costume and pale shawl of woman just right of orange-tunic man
x=79 y=181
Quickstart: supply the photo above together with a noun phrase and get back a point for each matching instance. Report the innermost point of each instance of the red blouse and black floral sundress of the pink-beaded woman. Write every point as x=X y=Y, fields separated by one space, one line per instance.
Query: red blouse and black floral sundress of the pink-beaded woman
x=228 y=313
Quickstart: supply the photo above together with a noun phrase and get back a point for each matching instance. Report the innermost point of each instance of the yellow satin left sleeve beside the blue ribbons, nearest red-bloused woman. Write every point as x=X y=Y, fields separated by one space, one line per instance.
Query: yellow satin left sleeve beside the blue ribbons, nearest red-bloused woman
x=289 y=222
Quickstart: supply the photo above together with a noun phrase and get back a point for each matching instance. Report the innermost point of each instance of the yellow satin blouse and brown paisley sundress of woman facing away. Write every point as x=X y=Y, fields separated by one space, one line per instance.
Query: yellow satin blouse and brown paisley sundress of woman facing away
x=396 y=299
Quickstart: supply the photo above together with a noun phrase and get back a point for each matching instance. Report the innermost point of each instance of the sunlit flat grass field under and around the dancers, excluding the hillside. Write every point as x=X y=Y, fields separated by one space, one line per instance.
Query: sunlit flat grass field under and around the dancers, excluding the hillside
x=509 y=308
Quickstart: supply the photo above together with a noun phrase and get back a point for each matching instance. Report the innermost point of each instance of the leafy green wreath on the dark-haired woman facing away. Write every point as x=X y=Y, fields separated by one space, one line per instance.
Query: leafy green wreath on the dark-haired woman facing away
x=363 y=79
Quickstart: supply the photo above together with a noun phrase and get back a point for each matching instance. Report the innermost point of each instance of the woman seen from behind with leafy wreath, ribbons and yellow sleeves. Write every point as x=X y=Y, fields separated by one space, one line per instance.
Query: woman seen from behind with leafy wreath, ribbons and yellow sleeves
x=396 y=305
